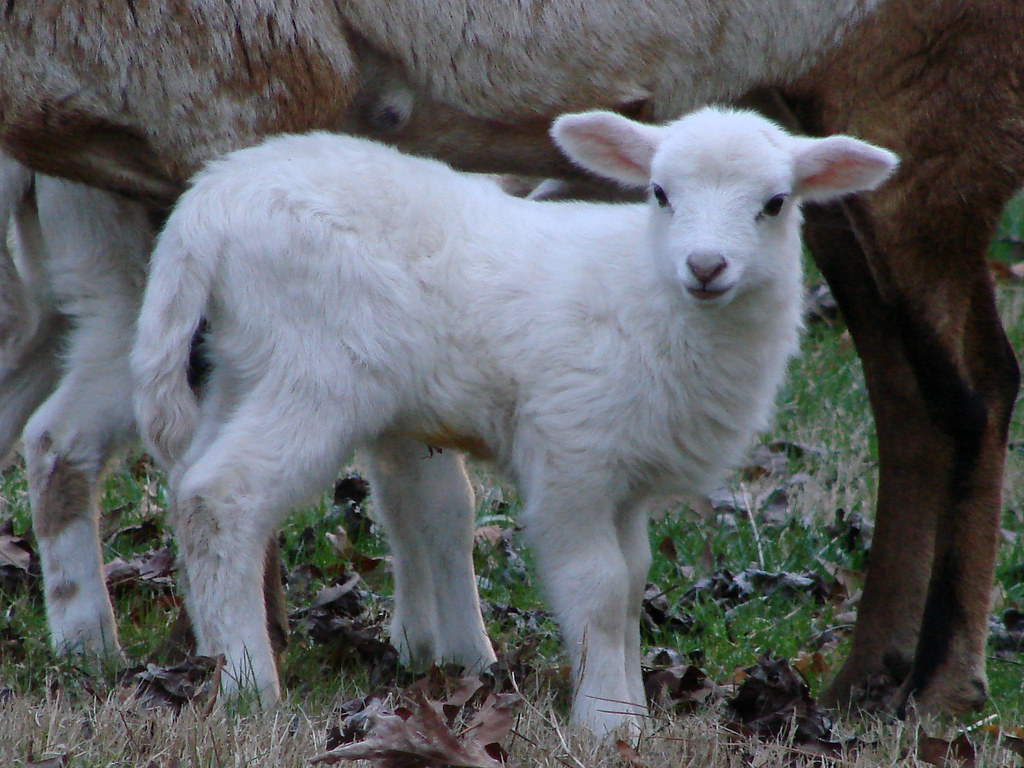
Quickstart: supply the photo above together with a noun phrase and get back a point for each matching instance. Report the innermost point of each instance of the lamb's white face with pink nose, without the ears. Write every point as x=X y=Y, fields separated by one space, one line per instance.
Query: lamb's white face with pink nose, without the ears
x=726 y=219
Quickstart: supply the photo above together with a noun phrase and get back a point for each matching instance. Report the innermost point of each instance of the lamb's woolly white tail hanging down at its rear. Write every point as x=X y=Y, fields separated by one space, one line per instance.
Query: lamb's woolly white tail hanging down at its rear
x=177 y=297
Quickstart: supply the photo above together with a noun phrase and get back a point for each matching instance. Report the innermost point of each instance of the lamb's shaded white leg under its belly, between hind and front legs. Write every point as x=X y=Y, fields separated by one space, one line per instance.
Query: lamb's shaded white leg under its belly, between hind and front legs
x=425 y=502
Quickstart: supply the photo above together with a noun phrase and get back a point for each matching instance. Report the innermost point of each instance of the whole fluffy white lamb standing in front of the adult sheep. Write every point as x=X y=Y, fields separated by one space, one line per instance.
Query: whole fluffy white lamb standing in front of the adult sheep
x=604 y=356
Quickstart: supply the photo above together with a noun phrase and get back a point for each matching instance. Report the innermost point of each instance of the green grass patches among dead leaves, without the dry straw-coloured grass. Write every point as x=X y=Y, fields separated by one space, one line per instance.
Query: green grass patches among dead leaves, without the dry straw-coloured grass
x=824 y=408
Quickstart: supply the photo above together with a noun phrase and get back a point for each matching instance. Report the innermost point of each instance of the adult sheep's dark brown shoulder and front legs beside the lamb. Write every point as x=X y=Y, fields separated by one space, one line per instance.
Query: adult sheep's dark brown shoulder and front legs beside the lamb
x=938 y=84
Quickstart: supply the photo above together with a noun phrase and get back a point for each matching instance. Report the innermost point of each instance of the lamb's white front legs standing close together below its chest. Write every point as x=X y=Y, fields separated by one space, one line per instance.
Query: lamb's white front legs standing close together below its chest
x=571 y=525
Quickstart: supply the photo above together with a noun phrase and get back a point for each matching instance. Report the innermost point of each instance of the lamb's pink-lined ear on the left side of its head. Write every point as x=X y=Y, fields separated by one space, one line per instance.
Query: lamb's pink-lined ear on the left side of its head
x=609 y=145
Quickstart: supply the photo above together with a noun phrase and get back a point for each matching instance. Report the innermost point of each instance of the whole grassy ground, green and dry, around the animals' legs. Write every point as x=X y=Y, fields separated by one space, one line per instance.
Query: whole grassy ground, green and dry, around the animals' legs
x=772 y=566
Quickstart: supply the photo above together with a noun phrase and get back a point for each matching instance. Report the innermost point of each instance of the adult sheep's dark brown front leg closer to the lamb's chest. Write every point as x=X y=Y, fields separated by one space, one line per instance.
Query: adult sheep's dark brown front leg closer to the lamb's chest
x=892 y=606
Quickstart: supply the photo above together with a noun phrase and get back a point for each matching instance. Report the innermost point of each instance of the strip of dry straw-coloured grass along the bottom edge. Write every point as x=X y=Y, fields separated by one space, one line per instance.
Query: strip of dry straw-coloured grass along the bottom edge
x=93 y=732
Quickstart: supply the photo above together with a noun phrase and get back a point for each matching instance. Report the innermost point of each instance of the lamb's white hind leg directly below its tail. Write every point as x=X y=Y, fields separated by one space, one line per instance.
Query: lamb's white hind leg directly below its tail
x=228 y=501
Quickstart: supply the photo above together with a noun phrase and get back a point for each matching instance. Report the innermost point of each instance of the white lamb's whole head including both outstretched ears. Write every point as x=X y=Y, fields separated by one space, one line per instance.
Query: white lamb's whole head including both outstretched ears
x=724 y=191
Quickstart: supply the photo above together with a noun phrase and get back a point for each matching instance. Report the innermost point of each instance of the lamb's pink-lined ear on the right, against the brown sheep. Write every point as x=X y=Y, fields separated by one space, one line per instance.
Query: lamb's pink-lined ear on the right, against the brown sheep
x=830 y=168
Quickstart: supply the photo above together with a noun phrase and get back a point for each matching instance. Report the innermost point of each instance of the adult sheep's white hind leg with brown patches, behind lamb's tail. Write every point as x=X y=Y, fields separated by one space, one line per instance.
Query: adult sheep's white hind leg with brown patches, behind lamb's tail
x=97 y=248
